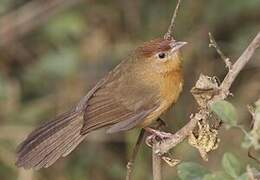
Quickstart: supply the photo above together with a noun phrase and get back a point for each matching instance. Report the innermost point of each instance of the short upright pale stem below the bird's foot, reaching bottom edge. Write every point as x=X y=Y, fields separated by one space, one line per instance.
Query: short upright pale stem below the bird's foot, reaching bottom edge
x=157 y=162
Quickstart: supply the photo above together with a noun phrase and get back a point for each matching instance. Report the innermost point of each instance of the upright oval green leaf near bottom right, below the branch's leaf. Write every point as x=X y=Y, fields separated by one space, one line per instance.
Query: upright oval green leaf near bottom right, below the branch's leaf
x=231 y=165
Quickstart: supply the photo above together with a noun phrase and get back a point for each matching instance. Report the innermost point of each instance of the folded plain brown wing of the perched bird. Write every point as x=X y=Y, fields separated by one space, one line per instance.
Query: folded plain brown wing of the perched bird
x=121 y=101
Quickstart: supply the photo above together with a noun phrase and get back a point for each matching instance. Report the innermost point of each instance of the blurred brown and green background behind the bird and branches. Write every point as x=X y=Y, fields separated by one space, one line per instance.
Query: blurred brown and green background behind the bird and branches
x=53 y=51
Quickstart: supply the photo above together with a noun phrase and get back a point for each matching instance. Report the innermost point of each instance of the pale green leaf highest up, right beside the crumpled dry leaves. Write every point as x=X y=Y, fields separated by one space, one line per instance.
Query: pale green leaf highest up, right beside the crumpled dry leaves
x=226 y=112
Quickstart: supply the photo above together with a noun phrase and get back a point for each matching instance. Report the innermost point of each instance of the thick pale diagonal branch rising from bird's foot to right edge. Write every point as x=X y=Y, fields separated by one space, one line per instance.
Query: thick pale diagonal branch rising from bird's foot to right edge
x=178 y=137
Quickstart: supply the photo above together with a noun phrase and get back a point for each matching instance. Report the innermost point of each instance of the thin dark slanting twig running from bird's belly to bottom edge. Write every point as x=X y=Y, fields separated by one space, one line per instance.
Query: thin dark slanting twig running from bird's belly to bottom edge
x=130 y=164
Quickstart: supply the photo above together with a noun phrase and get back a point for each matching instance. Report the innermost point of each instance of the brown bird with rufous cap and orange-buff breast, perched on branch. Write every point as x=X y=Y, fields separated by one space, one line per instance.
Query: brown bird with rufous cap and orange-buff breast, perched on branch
x=134 y=94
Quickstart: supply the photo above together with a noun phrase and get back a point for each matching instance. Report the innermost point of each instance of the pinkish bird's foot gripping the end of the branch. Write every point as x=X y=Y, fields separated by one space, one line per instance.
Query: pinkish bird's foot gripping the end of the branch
x=156 y=136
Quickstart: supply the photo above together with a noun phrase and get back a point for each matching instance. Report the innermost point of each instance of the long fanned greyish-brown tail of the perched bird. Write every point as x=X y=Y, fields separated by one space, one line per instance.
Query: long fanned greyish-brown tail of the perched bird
x=52 y=140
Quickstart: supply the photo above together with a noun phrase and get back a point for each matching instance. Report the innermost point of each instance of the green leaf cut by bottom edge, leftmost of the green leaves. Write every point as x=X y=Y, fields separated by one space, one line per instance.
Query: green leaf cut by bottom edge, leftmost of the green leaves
x=191 y=171
